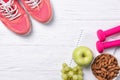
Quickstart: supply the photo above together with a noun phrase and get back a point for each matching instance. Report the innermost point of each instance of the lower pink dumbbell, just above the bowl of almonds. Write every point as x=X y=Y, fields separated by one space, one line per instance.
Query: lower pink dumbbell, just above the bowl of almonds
x=103 y=45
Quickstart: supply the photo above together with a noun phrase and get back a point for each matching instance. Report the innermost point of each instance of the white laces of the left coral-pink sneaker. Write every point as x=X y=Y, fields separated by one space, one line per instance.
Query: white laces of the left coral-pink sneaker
x=9 y=10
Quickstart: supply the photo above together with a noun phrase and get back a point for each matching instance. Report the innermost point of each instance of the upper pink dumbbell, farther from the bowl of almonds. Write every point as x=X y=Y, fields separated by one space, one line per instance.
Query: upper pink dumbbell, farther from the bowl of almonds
x=103 y=34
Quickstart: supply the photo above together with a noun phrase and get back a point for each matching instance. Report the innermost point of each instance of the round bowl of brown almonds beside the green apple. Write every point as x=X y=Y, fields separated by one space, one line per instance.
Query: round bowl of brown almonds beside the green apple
x=105 y=67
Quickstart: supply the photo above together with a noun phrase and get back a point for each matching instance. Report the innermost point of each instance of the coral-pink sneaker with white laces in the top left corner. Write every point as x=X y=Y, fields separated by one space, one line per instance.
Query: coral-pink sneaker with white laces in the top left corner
x=14 y=16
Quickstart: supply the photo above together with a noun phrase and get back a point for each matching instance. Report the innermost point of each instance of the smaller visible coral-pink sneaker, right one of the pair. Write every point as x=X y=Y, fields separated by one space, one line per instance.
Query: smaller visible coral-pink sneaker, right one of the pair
x=39 y=9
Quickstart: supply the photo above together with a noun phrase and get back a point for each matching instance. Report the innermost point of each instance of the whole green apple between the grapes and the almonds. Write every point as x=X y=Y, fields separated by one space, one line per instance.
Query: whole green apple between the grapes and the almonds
x=82 y=56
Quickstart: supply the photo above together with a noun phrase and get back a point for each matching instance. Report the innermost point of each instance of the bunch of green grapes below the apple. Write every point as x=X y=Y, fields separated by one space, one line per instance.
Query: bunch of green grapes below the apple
x=69 y=73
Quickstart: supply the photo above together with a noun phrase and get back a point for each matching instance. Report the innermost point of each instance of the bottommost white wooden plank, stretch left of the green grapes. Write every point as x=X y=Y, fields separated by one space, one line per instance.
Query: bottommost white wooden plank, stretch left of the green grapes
x=29 y=75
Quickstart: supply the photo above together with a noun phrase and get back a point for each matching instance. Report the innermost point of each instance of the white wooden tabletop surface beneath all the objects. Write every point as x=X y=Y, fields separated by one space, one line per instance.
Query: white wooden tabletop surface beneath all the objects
x=39 y=55
